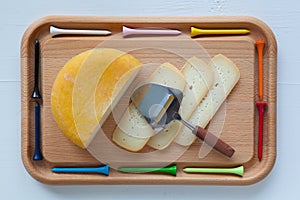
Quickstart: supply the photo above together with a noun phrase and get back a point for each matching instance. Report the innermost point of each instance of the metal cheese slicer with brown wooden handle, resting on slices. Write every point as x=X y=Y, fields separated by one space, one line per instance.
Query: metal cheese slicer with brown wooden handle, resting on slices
x=159 y=105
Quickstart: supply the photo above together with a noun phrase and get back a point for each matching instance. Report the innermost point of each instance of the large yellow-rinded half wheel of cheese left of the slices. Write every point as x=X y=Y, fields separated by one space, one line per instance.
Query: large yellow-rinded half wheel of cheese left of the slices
x=83 y=90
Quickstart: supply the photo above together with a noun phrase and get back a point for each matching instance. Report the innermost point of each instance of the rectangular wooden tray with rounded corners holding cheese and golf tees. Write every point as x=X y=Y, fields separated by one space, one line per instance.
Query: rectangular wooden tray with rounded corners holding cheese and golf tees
x=240 y=127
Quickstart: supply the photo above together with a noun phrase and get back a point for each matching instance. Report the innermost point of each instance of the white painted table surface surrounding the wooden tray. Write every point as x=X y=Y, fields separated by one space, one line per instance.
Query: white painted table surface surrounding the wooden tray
x=282 y=16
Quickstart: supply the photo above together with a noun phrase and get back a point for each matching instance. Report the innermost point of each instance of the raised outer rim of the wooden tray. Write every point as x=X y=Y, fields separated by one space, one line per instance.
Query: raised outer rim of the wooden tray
x=268 y=162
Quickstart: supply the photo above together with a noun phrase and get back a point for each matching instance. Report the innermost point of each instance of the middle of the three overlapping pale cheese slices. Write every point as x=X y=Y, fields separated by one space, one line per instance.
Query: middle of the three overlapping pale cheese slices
x=199 y=77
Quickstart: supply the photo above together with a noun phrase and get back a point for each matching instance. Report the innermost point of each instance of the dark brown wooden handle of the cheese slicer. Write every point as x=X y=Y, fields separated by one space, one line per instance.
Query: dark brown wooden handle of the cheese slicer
x=214 y=141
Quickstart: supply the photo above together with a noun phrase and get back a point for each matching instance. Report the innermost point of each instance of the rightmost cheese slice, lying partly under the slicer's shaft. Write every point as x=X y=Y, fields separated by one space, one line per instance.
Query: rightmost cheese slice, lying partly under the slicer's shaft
x=226 y=76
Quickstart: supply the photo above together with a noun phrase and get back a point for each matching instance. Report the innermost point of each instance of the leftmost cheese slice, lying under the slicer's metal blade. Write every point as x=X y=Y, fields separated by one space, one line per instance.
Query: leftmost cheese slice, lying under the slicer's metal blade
x=133 y=131
